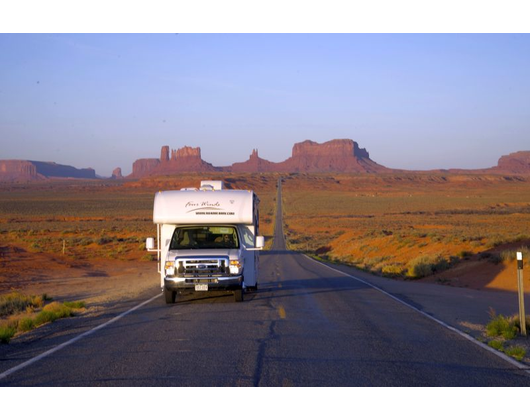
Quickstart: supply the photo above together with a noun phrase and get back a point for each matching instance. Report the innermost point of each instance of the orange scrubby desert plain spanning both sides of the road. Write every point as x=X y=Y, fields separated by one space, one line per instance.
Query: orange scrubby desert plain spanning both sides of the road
x=460 y=230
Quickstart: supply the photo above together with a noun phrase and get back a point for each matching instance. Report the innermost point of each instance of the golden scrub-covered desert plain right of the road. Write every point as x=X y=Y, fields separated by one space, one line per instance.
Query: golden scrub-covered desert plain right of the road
x=409 y=225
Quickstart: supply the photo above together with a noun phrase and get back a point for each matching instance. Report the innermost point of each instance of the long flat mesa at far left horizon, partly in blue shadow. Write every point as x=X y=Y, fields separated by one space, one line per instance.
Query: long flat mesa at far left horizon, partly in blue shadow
x=26 y=170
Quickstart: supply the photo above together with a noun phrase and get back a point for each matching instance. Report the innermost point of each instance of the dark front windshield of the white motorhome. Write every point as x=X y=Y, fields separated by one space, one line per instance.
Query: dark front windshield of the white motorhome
x=205 y=237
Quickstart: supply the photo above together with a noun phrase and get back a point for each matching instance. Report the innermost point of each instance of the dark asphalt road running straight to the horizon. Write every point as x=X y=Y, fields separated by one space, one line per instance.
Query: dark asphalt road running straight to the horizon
x=308 y=325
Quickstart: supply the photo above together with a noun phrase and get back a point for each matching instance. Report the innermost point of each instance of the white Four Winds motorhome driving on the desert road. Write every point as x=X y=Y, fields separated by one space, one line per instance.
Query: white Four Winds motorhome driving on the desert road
x=207 y=240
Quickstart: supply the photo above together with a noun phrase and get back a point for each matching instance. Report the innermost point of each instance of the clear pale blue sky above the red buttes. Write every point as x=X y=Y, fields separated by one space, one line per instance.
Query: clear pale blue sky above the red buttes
x=413 y=101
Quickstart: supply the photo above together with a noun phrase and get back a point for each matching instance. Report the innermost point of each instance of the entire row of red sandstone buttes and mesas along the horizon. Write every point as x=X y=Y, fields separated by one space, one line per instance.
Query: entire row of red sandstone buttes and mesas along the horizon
x=339 y=156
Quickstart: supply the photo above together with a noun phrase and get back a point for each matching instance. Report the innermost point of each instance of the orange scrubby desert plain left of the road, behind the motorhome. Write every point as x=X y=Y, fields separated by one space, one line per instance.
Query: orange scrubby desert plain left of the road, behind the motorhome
x=60 y=226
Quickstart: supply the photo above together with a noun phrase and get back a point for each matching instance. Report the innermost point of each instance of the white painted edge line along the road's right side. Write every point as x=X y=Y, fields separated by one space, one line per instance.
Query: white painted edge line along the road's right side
x=468 y=337
